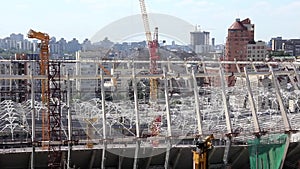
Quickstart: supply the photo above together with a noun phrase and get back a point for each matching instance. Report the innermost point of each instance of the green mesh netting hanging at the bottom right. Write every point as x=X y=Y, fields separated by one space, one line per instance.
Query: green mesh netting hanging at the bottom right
x=267 y=153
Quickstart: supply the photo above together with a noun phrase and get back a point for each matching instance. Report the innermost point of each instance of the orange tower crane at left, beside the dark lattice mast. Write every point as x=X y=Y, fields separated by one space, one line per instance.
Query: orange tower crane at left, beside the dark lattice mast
x=44 y=70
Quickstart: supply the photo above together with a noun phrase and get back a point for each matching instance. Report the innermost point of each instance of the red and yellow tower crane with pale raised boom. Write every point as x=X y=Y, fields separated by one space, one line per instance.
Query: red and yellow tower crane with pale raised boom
x=153 y=50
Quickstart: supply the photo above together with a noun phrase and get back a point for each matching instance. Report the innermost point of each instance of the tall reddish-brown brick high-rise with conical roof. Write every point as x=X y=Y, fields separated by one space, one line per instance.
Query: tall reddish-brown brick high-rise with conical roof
x=240 y=34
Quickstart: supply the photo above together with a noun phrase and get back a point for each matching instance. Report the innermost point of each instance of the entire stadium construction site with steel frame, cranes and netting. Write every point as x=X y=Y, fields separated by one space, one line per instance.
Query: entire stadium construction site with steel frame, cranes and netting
x=161 y=109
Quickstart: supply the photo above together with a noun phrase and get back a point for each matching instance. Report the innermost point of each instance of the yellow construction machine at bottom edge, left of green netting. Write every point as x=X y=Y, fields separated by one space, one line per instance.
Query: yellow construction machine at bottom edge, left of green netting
x=200 y=154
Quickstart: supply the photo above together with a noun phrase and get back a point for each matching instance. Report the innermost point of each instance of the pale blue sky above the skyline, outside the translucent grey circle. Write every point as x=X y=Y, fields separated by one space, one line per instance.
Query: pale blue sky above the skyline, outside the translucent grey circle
x=84 y=18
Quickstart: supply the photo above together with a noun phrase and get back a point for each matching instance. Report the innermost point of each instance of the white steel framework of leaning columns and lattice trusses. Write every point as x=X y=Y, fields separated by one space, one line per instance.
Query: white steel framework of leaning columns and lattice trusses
x=262 y=101
